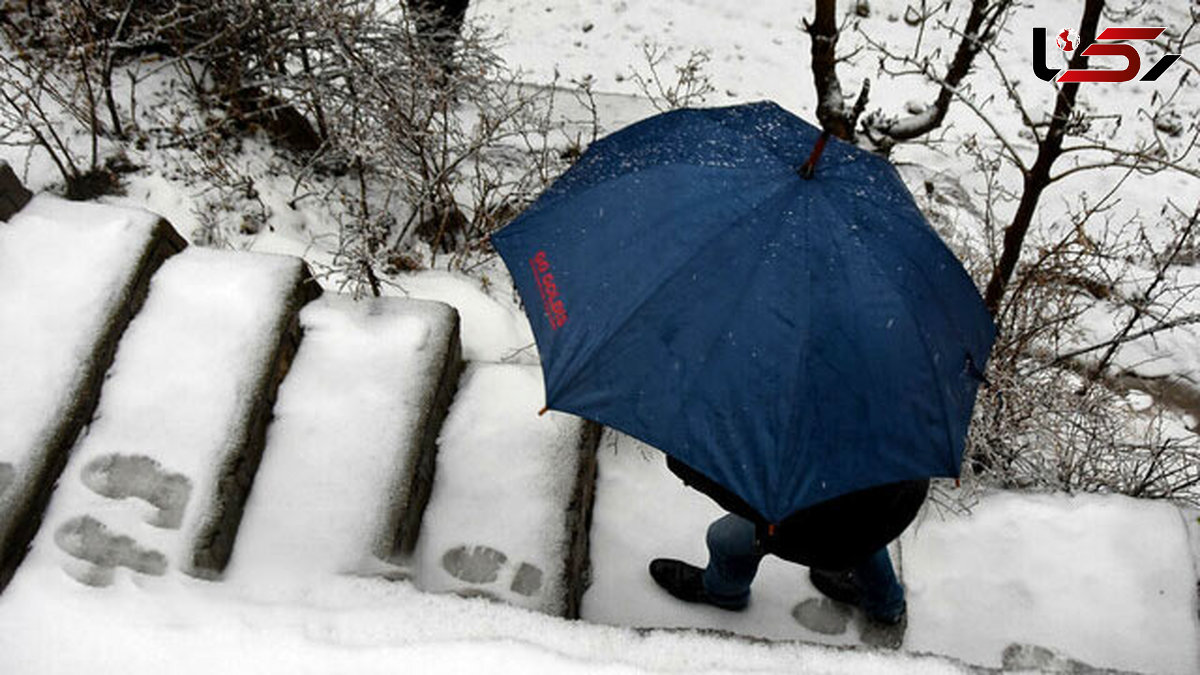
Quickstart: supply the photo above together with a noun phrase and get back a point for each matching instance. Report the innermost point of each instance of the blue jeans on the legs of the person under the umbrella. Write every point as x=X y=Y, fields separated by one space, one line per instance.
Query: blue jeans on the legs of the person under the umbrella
x=734 y=558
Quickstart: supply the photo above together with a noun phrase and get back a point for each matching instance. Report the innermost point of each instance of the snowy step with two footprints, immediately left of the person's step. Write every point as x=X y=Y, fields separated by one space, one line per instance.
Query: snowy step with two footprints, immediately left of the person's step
x=512 y=500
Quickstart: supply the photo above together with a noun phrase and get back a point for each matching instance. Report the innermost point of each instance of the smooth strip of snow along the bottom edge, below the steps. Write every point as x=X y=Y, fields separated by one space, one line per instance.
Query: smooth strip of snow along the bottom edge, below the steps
x=355 y=625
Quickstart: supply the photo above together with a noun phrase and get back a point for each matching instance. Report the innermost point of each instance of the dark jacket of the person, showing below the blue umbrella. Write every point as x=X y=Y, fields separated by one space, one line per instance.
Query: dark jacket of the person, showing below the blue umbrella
x=837 y=534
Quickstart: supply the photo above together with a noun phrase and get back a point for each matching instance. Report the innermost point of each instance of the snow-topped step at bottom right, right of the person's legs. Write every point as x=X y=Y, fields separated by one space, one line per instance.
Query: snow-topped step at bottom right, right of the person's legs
x=1108 y=581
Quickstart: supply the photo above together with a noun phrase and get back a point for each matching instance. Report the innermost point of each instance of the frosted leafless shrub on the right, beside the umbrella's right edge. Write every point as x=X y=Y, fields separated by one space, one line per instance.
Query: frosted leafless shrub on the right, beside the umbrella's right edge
x=1060 y=413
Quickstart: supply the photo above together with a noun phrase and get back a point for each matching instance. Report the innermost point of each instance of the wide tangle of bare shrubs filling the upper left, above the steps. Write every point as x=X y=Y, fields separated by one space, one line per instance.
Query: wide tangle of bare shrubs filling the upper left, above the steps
x=417 y=140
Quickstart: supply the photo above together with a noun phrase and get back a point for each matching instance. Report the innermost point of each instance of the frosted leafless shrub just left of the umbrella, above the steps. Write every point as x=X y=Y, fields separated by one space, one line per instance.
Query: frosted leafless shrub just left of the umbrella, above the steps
x=442 y=151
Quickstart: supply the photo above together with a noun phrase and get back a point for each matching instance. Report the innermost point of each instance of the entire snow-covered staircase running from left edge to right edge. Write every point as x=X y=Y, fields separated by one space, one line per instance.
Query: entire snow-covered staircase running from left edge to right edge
x=278 y=444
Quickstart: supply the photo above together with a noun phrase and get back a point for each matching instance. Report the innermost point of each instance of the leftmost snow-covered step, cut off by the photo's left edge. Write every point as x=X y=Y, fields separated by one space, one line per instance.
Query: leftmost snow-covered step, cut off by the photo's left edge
x=71 y=279
